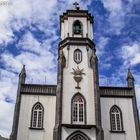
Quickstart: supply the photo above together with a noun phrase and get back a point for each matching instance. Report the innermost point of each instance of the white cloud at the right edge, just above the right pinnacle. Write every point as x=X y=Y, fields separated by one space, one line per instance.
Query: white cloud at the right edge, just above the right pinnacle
x=131 y=54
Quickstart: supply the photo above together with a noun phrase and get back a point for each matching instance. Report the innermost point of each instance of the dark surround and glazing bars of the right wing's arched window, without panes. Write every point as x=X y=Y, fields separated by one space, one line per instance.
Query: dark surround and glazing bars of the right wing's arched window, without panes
x=116 y=120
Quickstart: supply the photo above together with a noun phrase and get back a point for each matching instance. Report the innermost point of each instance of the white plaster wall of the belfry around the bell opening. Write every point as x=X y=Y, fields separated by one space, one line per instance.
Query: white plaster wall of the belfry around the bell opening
x=67 y=27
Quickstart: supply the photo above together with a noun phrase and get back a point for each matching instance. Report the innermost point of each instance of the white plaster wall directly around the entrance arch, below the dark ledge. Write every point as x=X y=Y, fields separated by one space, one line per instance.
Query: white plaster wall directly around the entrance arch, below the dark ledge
x=91 y=133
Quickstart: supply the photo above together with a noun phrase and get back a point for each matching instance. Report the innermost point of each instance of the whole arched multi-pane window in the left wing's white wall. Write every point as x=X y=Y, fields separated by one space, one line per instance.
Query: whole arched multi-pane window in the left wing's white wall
x=37 y=116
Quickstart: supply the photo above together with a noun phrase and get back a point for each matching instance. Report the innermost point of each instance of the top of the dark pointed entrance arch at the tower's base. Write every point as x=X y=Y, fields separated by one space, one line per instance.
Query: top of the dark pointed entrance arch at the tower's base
x=78 y=135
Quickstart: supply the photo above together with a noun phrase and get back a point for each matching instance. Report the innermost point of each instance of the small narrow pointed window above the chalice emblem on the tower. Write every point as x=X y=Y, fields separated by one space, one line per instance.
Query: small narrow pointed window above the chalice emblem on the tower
x=77 y=56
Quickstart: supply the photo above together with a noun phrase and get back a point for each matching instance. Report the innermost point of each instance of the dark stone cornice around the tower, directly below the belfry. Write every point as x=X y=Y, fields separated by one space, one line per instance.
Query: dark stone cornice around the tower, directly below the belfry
x=76 y=41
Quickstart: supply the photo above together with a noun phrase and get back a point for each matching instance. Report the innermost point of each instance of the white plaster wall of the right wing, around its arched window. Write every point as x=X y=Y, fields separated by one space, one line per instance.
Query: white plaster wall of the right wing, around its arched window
x=125 y=104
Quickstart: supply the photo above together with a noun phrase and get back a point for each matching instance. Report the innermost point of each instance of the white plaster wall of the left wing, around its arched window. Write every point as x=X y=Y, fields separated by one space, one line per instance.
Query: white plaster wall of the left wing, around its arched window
x=27 y=102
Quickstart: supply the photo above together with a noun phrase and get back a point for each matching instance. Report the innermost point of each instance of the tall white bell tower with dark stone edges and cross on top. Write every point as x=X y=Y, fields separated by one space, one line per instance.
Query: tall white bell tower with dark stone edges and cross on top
x=77 y=102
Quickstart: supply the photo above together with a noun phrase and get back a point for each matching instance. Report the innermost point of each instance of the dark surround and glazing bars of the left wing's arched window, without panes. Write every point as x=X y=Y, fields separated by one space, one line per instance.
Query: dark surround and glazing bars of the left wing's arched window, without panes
x=32 y=117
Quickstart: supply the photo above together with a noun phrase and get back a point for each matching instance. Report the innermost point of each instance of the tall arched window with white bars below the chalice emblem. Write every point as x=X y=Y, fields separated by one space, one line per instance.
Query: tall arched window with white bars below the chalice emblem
x=78 y=109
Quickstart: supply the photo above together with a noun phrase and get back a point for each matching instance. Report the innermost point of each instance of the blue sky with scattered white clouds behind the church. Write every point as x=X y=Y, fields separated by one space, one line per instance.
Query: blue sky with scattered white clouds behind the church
x=29 y=34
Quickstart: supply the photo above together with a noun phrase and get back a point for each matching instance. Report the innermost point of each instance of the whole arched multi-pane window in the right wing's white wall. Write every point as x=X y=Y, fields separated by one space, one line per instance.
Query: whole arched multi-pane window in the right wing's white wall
x=116 y=119
